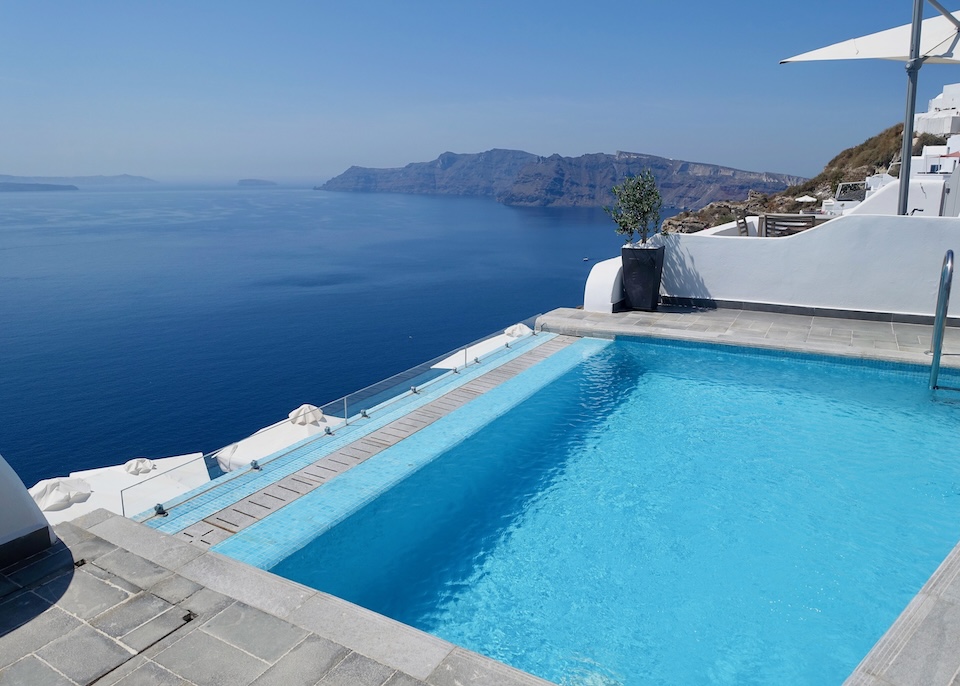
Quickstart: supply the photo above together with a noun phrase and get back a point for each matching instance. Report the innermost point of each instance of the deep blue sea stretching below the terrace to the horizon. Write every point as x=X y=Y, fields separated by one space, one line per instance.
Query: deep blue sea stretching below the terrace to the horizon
x=164 y=321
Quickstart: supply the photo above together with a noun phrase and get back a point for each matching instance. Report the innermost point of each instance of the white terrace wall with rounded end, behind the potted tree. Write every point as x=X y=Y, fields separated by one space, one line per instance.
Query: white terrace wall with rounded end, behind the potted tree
x=857 y=262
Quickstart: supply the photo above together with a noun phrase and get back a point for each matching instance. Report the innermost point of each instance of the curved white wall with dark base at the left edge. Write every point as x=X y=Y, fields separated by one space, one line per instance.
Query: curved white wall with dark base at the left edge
x=20 y=518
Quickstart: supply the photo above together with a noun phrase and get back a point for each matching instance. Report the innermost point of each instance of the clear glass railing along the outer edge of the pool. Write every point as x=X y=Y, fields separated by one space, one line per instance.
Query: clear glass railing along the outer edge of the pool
x=160 y=493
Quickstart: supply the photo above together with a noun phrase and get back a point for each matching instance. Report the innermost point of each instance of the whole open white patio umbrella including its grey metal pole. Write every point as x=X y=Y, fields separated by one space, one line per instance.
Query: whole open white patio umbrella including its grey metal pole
x=935 y=40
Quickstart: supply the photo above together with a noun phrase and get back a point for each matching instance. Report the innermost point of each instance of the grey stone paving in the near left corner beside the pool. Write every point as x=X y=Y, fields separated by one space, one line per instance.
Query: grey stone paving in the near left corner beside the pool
x=143 y=608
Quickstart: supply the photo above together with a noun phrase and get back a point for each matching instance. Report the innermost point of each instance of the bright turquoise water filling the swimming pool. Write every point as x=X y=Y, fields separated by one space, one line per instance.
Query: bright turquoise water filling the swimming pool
x=668 y=513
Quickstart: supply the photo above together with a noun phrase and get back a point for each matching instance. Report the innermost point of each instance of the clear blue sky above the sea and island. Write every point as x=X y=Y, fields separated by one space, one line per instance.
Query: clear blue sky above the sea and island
x=303 y=90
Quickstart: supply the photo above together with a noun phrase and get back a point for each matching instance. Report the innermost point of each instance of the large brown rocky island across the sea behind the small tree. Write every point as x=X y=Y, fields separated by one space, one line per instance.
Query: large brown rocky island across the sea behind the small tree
x=515 y=177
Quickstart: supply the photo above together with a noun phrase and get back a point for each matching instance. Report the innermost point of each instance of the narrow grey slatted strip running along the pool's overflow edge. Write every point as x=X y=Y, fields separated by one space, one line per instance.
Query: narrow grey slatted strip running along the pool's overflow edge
x=249 y=510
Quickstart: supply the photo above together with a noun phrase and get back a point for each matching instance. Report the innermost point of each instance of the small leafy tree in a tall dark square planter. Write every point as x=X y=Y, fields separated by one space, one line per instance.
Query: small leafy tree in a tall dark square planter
x=637 y=210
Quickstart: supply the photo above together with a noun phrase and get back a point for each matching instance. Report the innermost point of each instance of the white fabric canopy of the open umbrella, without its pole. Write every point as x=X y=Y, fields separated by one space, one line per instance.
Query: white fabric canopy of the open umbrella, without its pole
x=939 y=44
